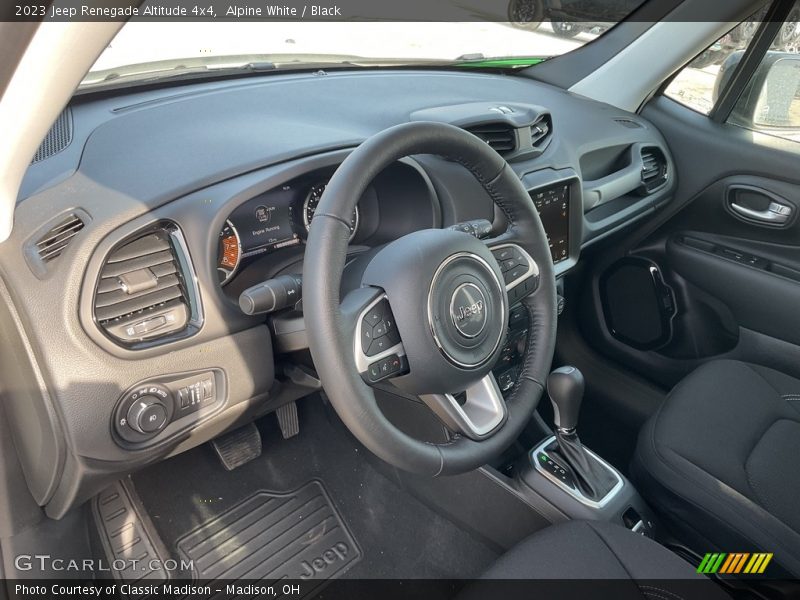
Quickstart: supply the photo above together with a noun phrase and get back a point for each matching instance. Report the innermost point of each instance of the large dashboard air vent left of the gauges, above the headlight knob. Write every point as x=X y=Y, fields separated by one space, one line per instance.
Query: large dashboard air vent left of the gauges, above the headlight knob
x=144 y=292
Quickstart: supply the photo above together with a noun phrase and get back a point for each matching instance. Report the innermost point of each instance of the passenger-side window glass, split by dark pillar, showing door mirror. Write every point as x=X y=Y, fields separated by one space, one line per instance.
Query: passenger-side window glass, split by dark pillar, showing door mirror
x=769 y=102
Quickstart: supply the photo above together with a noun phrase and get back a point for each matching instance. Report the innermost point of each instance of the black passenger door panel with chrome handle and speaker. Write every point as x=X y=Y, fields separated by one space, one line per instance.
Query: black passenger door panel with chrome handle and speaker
x=732 y=273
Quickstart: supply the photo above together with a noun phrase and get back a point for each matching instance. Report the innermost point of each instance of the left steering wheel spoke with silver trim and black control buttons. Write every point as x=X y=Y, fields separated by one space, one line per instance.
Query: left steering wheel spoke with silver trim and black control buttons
x=378 y=351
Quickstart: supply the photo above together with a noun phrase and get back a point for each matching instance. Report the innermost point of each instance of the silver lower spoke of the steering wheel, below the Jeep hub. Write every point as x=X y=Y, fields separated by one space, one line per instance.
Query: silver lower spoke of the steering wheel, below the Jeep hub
x=475 y=413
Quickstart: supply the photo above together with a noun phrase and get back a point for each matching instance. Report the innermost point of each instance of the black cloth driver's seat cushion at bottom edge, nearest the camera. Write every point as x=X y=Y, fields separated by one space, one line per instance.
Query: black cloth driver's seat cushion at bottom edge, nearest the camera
x=594 y=550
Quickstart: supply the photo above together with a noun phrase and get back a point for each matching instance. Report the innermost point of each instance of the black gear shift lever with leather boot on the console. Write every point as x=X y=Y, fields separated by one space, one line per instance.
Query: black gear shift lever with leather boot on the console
x=565 y=387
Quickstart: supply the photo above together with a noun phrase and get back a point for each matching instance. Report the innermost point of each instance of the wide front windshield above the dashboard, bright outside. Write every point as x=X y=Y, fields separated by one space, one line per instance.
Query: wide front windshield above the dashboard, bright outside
x=148 y=50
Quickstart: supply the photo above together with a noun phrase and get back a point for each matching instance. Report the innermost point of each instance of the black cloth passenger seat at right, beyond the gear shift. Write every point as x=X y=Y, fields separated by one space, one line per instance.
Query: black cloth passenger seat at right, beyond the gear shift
x=720 y=460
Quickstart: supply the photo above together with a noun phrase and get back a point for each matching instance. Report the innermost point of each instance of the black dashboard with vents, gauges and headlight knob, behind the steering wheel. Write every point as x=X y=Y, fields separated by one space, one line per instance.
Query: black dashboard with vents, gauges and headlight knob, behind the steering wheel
x=138 y=245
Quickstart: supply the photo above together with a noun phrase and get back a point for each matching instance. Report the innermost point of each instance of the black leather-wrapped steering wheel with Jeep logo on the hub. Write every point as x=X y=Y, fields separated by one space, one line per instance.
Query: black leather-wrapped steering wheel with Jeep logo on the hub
x=432 y=310
